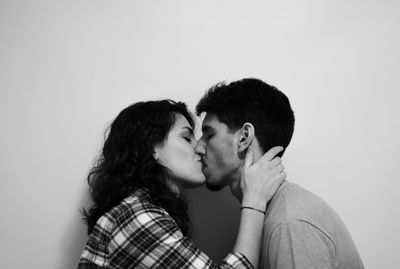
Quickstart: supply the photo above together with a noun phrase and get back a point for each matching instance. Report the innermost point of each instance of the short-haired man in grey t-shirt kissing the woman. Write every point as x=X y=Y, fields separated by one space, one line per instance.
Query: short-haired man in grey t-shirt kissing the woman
x=300 y=229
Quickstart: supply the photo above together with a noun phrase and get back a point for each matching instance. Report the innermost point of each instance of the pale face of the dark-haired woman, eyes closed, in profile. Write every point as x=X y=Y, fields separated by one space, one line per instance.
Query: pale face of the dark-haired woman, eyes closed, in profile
x=178 y=155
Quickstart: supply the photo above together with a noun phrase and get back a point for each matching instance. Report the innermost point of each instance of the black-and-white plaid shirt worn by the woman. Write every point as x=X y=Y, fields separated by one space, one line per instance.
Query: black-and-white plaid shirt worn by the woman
x=138 y=234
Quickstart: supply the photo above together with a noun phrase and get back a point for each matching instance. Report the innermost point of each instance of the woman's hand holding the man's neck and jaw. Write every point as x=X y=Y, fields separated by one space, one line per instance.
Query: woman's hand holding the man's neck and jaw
x=260 y=181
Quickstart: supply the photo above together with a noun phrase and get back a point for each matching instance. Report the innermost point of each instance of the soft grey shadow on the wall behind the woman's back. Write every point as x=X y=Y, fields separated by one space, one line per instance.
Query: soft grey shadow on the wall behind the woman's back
x=75 y=237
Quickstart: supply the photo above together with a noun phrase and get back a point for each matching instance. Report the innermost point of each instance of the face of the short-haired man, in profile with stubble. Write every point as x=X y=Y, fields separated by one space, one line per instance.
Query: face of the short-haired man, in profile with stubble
x=218 y=148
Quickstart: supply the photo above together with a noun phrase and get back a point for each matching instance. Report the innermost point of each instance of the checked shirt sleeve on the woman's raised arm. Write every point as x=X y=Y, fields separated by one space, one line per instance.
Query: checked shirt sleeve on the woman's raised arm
x=151 y=239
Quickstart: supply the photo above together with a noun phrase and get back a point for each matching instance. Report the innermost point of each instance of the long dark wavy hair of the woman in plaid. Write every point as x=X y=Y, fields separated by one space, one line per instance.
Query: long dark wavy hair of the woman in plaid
x=126 y=162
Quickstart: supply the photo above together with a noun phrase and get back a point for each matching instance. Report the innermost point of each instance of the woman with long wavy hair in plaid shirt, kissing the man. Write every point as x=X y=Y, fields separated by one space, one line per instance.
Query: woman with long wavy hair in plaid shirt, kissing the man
x=139 y=218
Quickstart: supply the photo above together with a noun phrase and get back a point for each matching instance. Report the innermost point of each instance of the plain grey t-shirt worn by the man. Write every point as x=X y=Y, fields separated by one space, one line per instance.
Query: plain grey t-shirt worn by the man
x=302 y=231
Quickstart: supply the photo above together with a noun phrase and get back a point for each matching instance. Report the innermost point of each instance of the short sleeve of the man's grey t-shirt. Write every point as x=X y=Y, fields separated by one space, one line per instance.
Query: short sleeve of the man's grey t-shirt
x=299 y=245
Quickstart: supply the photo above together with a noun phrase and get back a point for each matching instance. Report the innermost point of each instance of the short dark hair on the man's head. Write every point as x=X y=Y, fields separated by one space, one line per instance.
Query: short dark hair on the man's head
x=254 y=101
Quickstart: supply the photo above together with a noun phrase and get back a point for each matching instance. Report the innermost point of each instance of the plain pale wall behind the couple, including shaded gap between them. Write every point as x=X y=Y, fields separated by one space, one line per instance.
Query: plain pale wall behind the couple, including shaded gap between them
x=68 y=67
